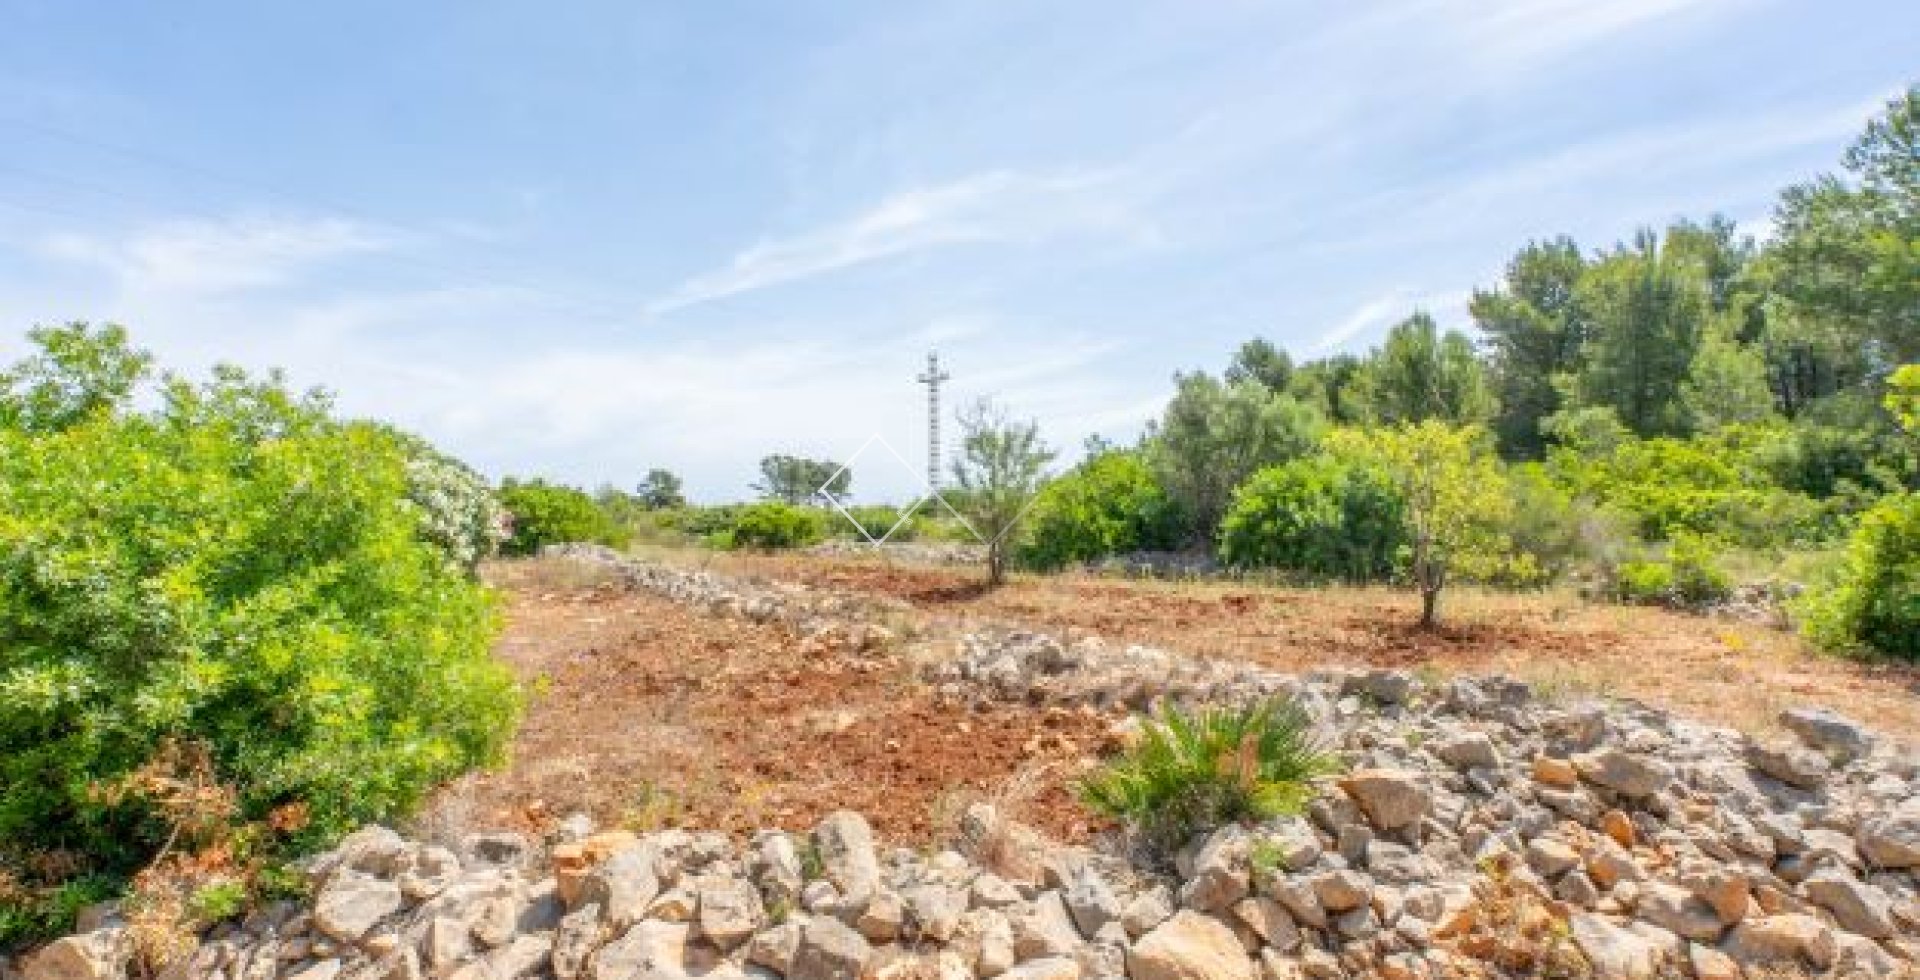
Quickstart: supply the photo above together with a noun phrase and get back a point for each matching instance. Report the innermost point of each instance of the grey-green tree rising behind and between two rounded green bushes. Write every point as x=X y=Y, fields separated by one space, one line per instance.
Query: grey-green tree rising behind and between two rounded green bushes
x=1214 y=437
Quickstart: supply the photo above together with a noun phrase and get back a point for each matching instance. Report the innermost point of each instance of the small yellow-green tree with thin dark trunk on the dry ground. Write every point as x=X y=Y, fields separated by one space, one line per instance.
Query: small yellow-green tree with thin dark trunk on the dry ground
x=1456 y=502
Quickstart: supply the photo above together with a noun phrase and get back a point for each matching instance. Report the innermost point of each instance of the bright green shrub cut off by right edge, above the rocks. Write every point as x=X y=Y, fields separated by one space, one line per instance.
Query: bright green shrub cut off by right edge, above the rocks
x=1873 y=604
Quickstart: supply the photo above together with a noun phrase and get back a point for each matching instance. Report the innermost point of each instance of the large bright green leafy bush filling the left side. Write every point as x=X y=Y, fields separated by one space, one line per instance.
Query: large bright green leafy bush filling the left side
x=241 y=570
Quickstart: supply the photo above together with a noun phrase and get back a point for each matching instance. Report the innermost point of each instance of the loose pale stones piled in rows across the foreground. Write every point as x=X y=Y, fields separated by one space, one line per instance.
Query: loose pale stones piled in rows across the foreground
x=1479 y=831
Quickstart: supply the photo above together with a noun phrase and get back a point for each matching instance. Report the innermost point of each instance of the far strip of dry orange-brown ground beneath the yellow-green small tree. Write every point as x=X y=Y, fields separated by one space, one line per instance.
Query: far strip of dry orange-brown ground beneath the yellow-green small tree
x=1719 y=670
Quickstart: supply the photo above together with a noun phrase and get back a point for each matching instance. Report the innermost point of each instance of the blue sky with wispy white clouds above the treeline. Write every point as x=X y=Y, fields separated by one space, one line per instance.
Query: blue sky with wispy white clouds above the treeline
x=588 y=239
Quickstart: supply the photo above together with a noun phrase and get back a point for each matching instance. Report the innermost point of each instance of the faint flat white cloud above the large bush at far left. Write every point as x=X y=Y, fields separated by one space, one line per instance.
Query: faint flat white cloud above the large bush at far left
x=218 y=257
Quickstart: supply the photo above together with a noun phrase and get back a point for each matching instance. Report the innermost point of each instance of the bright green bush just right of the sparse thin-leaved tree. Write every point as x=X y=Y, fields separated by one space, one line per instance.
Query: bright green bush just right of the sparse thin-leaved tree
x=1109 y=504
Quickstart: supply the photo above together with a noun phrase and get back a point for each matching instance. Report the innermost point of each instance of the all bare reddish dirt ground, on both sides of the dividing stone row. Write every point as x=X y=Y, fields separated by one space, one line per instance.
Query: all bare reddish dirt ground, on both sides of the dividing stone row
x=652 y=714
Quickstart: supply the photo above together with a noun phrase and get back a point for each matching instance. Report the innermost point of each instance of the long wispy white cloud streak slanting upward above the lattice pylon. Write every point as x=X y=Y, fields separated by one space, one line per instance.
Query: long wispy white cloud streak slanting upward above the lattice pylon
x=999 y=207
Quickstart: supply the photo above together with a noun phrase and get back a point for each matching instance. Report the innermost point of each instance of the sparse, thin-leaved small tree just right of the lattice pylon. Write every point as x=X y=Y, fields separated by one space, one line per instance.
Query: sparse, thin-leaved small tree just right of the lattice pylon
x=997 y=476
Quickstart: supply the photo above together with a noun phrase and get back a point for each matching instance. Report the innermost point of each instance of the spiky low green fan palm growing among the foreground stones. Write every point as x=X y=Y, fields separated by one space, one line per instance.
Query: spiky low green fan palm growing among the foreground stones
x=1193 y=772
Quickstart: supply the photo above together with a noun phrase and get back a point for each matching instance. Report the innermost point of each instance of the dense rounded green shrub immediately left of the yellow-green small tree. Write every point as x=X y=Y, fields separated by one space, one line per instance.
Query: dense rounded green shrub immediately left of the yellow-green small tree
x=1322 y=518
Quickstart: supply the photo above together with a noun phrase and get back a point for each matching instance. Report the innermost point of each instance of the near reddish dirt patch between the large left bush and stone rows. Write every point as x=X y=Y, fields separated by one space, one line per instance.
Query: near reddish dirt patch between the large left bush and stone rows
x=648 y=714
